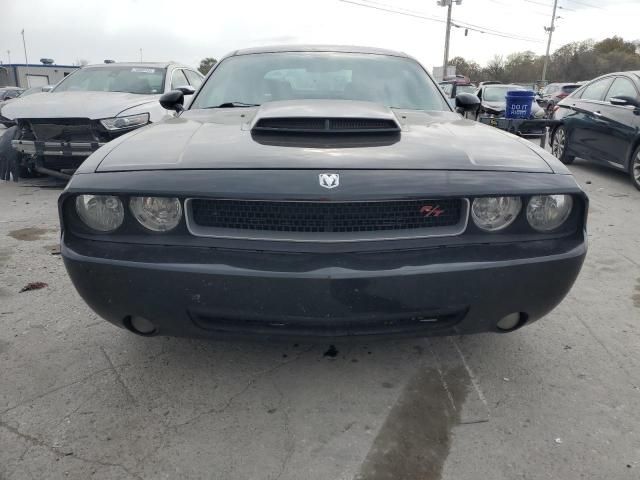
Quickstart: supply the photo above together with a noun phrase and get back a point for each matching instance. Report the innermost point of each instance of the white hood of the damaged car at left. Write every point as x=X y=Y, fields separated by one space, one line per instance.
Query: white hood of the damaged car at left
x=93 y=105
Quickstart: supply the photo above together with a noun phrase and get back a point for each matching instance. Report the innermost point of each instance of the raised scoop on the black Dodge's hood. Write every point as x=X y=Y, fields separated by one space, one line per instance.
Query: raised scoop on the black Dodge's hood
x=324 y=117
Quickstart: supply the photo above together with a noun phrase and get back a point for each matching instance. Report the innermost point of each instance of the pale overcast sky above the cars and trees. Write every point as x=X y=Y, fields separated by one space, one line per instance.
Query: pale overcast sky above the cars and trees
x=69 y=30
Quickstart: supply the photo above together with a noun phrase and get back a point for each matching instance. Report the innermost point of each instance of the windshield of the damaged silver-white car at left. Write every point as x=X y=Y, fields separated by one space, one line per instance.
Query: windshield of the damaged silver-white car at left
x=131 y=79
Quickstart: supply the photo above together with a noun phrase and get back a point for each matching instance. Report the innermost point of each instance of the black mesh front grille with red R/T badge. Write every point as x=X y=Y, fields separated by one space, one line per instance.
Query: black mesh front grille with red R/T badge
x=342 y=218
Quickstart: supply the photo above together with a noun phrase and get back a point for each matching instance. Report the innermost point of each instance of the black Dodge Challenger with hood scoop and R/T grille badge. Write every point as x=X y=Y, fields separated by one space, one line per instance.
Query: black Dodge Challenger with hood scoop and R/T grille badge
x=321 y=191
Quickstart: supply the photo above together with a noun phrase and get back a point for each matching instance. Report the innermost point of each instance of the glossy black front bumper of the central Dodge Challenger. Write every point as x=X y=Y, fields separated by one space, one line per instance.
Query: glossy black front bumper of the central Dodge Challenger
x=212 y=292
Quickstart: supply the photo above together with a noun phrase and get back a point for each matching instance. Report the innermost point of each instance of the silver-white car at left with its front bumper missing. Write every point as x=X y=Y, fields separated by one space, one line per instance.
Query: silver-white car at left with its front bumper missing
x=56 y=131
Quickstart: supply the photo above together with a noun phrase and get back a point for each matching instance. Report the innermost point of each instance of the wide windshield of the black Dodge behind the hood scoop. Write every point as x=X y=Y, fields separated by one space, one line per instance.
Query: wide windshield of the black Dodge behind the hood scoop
x=259 y=78
